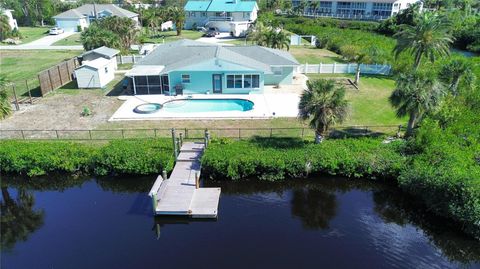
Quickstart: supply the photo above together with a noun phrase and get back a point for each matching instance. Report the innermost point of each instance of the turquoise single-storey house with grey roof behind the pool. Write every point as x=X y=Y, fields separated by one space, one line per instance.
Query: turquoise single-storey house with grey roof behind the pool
x=191 y=67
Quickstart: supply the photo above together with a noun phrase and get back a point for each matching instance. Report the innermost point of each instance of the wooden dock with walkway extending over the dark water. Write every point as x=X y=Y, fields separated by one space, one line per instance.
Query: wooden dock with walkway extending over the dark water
x=181 y=195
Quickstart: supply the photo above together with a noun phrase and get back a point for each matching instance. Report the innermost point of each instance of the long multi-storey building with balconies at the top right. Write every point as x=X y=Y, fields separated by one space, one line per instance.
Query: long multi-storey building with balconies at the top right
x=357 y=9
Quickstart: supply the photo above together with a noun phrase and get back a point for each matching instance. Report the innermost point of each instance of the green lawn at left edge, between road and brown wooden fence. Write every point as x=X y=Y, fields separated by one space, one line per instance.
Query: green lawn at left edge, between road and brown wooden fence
x=21 y=65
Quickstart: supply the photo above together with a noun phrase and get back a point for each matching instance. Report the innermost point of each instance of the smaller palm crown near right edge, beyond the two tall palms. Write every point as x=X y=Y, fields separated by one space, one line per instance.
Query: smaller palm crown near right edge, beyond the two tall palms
x=453 y=72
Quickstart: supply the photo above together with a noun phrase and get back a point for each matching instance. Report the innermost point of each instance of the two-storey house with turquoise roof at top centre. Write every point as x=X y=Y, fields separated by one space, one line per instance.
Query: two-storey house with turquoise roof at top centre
x=223 y=14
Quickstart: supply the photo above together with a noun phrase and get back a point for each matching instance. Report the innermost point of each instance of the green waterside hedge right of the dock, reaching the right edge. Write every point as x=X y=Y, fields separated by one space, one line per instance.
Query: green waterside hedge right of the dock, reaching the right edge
x=447 y=186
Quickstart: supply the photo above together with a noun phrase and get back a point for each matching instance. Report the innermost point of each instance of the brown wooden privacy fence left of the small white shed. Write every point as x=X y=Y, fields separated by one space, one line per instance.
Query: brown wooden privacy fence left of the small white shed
x=57 y=76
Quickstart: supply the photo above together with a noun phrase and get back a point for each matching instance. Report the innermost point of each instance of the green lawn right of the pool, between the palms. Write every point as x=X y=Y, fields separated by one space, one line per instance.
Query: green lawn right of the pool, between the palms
x=369 y=104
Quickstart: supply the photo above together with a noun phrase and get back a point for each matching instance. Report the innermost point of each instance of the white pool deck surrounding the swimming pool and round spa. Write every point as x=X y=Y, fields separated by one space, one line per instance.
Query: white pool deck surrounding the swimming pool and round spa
x=266 y=105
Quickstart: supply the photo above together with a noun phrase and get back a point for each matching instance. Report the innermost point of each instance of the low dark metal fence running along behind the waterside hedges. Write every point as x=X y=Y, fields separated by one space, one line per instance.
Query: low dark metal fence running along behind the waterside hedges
x=197 y=133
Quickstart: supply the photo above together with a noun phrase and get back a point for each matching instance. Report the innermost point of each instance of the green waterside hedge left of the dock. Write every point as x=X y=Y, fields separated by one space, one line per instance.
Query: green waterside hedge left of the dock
x=35 y=158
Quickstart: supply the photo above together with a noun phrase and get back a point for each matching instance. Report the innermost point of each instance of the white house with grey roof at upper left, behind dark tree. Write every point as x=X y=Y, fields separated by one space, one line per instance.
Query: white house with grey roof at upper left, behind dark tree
x=81 y=17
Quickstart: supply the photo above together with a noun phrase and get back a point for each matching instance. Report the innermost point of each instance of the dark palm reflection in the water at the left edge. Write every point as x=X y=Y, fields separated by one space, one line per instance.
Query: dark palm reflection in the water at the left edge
x=19 y=219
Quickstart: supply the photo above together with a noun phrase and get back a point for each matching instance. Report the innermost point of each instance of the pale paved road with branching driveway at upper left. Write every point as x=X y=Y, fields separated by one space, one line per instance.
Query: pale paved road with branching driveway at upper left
x=44 y=43
